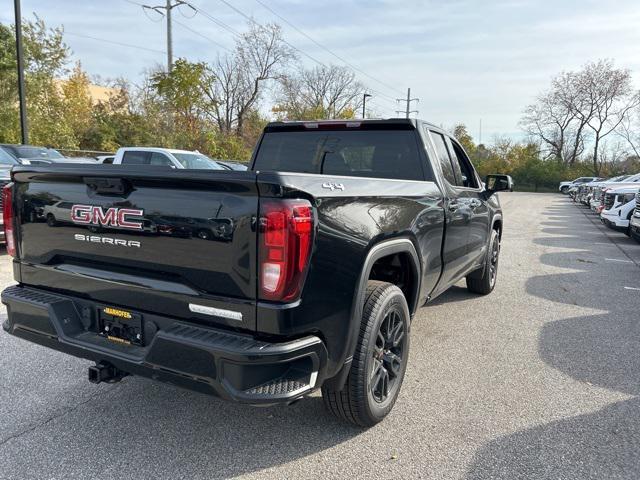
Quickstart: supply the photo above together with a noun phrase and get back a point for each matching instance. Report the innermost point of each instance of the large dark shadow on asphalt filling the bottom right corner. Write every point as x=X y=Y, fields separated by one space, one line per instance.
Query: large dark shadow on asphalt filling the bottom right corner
x=602 y=445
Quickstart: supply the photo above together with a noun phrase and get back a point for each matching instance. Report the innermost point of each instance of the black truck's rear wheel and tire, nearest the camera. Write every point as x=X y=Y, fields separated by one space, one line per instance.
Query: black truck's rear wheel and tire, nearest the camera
x=379 y=362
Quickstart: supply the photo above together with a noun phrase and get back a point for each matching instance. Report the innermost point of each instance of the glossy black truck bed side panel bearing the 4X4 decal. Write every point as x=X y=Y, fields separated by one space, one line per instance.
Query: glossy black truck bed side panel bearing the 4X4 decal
x=353 y=217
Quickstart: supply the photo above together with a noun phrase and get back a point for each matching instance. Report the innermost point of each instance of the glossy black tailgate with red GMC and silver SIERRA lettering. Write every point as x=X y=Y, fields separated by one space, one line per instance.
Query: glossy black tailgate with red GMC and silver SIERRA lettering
x=179 y=242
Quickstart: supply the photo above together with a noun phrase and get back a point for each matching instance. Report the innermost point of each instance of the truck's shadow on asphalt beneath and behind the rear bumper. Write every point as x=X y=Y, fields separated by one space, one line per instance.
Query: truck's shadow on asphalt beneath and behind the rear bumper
x=158 y=430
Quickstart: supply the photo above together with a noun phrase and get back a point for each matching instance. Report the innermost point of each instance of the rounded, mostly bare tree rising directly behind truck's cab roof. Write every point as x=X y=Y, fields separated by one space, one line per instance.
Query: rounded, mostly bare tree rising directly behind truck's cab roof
x=321 y=92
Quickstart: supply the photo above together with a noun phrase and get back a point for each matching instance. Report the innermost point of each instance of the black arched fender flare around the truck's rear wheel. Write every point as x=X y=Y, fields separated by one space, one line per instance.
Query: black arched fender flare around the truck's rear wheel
x=379 y=250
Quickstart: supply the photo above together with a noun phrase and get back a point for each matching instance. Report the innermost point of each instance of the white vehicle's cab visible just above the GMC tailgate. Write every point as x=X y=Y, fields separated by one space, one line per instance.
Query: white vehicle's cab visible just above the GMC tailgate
x=180 y=159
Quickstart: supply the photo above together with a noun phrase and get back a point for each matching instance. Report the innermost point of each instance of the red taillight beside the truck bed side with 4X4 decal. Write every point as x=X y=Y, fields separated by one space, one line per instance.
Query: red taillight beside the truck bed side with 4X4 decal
x=286 y=230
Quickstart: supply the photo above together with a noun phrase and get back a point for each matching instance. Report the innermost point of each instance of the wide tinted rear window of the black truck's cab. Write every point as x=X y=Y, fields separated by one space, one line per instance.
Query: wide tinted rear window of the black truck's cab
x=359 y=153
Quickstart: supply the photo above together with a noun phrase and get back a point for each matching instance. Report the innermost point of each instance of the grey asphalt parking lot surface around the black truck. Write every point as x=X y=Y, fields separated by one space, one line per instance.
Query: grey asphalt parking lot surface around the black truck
x=540 y=379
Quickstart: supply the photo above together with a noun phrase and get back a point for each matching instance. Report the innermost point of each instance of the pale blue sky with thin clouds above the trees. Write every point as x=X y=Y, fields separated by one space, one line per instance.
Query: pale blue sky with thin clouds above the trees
x=471 y=62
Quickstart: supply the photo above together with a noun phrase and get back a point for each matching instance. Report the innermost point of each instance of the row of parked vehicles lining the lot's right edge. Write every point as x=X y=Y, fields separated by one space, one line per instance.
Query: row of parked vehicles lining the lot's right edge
x=616 y=200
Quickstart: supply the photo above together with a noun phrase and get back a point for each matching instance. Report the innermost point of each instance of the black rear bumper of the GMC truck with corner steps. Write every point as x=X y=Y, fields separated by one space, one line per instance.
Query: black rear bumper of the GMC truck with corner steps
x=229 y=365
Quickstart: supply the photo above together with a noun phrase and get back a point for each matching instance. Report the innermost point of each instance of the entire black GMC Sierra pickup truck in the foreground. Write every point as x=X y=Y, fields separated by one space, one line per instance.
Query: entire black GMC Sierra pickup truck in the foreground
x=258 y=286
